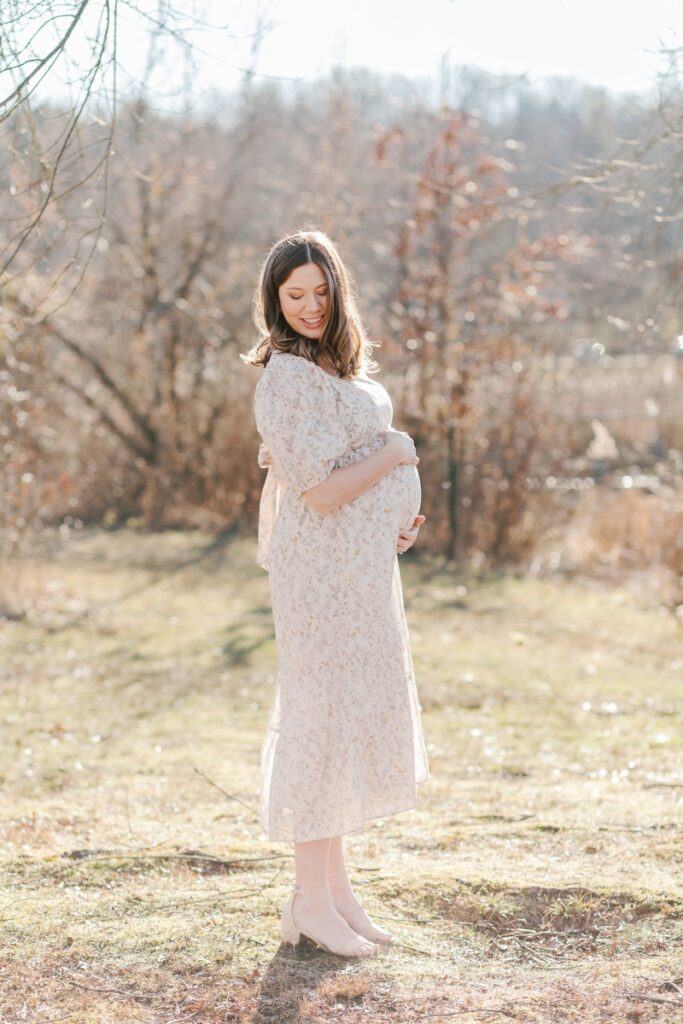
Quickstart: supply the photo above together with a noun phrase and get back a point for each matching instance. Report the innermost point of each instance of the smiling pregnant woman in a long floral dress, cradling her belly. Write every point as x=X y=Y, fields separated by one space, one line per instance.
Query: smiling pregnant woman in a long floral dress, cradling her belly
x=343 y=495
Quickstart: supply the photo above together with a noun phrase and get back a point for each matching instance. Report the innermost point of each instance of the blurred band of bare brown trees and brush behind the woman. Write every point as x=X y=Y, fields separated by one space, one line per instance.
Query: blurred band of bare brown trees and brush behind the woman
x=519 y=263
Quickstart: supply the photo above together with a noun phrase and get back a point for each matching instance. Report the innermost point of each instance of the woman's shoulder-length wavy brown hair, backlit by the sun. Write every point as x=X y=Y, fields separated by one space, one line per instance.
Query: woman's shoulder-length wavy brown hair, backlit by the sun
x=344 y=342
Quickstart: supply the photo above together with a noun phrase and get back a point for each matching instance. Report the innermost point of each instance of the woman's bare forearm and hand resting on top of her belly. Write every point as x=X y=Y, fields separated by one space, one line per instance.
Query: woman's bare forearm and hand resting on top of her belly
x=348 y=483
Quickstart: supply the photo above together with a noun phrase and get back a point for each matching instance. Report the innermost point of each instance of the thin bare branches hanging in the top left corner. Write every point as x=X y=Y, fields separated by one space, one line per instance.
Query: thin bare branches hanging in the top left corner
x=55 y=148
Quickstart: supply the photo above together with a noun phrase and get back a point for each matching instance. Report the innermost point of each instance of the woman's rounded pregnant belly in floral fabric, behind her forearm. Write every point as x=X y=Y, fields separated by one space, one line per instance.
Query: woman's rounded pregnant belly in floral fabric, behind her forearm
x=396 y=497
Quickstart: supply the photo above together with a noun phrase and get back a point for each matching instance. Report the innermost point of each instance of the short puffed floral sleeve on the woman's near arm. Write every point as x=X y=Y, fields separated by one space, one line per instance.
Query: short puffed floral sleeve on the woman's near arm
x=297 y=418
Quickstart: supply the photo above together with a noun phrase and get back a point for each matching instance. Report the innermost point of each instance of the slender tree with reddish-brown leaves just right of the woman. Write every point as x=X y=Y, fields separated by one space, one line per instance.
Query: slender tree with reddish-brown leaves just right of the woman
x=476 y=297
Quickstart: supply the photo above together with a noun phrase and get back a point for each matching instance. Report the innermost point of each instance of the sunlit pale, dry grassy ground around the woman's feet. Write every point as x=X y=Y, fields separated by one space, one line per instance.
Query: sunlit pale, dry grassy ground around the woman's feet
x=539 y=880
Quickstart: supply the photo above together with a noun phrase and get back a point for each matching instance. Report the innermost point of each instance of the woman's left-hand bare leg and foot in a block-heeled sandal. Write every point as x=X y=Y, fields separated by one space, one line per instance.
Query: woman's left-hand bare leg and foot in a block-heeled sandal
x=315 y=913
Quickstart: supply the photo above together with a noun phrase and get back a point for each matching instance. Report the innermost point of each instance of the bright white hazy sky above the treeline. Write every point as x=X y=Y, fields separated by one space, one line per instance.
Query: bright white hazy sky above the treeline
x=609 y=42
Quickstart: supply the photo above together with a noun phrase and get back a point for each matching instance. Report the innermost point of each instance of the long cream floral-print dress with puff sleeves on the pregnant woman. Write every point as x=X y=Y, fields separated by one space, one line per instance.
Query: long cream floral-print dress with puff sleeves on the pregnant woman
x=345 y=741
